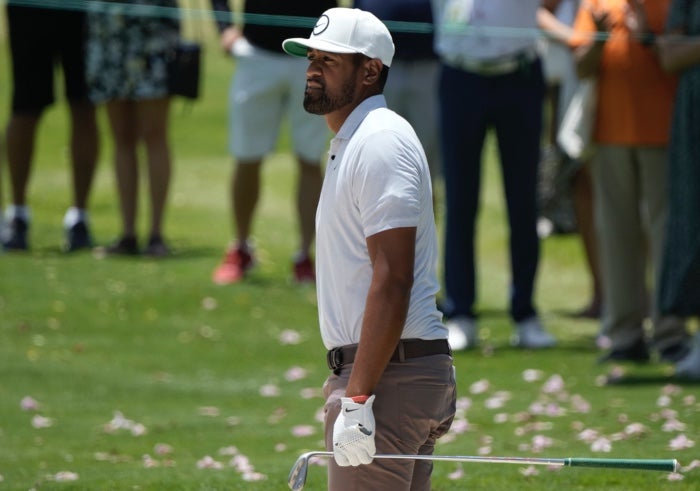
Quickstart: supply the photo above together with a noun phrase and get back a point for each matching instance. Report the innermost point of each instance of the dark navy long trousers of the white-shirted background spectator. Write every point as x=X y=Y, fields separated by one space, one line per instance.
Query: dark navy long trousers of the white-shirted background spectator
x=511 y=105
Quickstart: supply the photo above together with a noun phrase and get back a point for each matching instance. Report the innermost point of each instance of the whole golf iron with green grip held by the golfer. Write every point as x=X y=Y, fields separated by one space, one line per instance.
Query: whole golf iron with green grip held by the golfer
x=297 y=476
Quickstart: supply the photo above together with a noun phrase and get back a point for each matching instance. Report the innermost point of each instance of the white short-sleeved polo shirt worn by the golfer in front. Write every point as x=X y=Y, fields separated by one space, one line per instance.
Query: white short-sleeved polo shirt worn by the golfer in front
x=377 y=178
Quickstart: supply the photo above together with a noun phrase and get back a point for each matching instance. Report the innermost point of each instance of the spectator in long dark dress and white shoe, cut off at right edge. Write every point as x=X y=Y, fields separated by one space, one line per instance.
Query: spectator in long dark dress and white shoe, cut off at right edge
x=679 y=291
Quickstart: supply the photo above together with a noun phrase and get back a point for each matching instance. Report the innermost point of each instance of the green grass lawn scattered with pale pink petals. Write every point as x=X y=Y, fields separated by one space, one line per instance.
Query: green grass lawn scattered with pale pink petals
x=157 y=341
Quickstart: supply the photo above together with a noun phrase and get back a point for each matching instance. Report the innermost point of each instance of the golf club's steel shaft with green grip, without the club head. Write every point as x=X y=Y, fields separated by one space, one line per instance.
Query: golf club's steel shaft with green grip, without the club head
x=666 y=465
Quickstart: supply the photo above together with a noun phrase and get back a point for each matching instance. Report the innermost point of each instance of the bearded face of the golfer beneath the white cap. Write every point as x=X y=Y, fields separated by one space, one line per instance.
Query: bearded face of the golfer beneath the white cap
x=331 y=82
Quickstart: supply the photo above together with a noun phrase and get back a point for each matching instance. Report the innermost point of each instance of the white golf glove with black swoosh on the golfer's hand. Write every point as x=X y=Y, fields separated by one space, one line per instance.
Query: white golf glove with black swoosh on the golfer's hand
x=353 y=433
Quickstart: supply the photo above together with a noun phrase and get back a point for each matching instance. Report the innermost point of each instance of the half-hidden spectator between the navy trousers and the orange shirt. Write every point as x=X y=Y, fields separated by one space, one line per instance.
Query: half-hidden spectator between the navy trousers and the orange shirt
x=571 y=193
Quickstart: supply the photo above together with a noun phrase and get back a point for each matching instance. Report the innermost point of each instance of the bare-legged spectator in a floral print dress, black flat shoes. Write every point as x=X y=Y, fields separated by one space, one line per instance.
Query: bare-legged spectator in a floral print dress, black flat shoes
x=127 y=70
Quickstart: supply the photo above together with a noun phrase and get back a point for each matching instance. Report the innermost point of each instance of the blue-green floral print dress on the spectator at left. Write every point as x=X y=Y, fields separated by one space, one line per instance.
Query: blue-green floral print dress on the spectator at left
x=128 y=48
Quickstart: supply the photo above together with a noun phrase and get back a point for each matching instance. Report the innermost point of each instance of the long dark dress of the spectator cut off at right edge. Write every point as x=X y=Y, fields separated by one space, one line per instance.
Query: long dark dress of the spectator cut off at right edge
x=680 y=276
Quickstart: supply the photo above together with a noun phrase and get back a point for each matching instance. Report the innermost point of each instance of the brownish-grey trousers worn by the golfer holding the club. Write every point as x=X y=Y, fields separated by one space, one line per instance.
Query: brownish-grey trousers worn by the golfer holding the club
x=414 y=406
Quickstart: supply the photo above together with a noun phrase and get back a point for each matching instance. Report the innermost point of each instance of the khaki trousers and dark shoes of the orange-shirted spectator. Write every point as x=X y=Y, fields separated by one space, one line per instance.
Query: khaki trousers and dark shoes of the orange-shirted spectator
x=630 y=190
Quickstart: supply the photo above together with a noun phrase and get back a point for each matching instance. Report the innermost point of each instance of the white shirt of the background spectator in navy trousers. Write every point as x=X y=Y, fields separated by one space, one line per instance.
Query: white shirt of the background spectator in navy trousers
x=485 y=29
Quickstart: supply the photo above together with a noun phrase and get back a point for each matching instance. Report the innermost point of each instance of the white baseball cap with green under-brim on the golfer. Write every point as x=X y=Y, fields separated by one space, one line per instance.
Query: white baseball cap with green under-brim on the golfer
x=345 y=30
